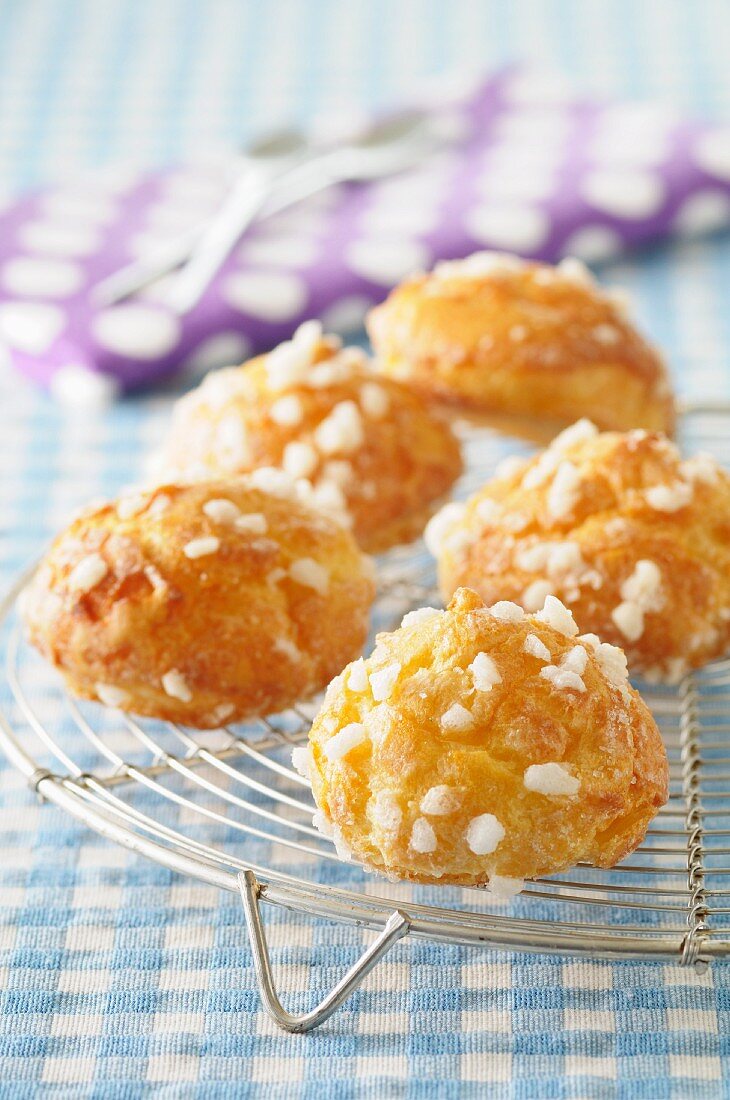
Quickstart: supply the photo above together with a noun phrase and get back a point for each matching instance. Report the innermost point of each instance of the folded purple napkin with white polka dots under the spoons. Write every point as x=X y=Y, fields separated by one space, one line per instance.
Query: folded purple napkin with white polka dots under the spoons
x=532 y=169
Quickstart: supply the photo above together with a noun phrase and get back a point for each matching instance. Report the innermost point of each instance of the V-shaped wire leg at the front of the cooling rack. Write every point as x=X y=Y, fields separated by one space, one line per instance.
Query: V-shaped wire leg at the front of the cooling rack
x=396 y=928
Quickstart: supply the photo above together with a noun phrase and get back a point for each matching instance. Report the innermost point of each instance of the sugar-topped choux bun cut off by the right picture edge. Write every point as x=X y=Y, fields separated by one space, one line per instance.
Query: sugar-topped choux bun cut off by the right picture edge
x=633 y=538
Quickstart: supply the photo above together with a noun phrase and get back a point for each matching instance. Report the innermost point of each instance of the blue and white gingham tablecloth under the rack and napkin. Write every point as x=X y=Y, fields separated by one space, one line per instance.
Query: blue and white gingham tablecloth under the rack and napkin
x=119 y=978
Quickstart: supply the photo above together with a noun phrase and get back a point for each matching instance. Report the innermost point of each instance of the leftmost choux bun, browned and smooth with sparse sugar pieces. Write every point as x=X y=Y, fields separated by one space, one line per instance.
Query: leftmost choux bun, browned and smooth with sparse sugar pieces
x=202 y=604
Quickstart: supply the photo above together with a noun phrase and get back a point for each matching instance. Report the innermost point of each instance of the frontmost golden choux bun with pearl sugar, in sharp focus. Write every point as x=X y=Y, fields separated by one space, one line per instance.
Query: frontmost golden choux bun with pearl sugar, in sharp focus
x=482 y=745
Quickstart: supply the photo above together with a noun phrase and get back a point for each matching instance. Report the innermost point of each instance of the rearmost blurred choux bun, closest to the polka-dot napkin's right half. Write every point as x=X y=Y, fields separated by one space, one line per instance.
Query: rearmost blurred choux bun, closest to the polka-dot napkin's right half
x=497 y=335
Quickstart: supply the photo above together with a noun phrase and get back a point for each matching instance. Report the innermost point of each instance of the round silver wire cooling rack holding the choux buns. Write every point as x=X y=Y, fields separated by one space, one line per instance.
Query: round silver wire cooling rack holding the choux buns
x=227 y=808
